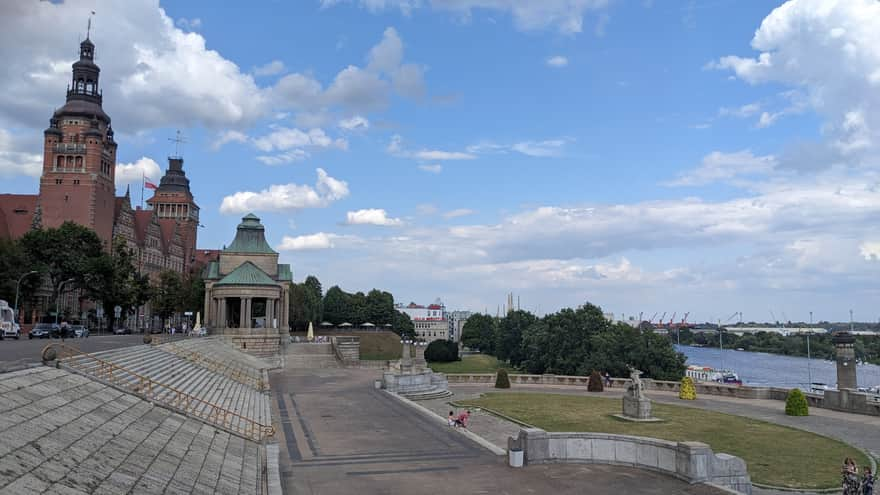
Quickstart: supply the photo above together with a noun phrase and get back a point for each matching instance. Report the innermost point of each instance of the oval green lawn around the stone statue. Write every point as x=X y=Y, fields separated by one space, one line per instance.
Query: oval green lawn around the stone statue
x=776 y=455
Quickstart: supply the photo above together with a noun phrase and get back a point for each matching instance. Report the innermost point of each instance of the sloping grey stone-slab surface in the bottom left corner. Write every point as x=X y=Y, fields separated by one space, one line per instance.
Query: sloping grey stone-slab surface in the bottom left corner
x=62 y=432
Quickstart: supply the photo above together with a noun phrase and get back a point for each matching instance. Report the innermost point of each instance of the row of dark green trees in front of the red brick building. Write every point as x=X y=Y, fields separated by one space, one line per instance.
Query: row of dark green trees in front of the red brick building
x=72 y=257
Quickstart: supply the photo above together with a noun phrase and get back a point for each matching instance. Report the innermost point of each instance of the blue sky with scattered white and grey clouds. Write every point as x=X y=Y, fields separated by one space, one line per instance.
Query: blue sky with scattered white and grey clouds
x=647 y=156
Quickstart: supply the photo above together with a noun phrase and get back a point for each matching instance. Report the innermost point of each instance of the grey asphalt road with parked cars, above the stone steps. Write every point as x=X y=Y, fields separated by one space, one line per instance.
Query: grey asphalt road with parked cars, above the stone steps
x=21 y=353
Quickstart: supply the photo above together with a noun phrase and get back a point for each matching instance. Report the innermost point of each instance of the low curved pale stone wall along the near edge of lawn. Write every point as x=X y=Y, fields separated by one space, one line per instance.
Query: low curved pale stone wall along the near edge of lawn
x=693 y=462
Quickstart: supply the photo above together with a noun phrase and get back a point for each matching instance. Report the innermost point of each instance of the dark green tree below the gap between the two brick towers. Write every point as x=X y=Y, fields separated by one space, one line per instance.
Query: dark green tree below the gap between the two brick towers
x=112 y=280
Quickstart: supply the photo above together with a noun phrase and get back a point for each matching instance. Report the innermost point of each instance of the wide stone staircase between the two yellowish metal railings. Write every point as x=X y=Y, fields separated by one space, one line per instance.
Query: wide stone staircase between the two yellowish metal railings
x=165 y=377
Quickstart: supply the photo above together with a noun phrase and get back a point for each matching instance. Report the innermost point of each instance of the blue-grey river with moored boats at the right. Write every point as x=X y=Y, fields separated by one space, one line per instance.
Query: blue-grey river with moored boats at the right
x=761 y=369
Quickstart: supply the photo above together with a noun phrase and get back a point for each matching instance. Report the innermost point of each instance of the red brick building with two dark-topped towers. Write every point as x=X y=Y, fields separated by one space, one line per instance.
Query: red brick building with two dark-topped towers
x=78 y=184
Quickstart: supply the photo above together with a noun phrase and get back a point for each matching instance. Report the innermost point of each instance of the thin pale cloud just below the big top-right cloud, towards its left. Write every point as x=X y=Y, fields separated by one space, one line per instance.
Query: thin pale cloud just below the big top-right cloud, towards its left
x=718 y=166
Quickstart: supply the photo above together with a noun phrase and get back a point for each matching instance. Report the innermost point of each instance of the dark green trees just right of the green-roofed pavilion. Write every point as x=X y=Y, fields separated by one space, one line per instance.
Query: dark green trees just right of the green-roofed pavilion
x=308 y=303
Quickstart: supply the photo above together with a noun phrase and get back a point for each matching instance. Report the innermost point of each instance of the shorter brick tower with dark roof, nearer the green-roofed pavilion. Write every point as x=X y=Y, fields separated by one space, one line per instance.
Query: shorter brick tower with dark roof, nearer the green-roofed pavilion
x=173 y=201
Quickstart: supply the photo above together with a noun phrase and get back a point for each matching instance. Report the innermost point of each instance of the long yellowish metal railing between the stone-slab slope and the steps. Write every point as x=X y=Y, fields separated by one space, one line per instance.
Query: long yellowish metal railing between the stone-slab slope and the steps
x=153 y=390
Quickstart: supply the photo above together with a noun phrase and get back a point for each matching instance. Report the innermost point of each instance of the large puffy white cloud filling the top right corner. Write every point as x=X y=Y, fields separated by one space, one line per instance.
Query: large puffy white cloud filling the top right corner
x=829 y=50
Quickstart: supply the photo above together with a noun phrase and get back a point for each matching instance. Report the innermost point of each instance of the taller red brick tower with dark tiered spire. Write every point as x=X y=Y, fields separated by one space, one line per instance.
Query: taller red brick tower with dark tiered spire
x=79 y=155
